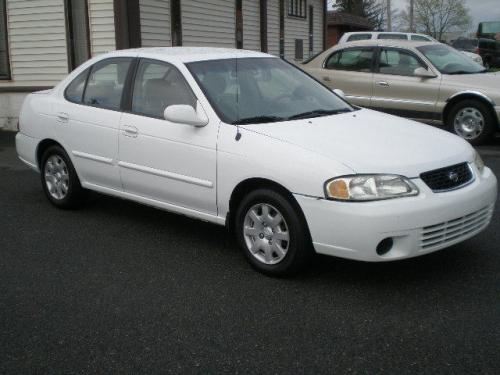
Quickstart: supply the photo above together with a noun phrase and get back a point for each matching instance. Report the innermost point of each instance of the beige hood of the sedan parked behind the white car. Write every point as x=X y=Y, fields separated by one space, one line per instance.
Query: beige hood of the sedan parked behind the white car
x=489 y=83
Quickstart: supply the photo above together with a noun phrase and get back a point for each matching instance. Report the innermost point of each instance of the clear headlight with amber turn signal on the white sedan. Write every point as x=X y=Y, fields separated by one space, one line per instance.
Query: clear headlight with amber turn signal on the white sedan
x=369 y=187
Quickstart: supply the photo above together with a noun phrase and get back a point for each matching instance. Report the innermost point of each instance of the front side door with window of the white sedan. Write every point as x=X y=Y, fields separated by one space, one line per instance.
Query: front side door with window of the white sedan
x=162 y=160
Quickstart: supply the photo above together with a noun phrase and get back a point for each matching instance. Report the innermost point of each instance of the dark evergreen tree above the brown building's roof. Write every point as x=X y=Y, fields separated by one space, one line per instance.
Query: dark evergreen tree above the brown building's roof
x=373 y=10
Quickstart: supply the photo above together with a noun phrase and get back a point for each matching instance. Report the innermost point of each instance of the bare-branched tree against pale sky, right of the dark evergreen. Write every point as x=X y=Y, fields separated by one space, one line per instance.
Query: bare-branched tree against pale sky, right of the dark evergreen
x=436 y=17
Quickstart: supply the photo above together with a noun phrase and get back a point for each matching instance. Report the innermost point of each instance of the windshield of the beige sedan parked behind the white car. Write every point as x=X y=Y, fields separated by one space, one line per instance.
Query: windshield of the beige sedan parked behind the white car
x=449 y=61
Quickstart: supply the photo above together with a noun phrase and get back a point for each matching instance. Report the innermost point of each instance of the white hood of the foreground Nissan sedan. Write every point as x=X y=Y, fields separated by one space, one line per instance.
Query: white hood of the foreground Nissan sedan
x=367 y=141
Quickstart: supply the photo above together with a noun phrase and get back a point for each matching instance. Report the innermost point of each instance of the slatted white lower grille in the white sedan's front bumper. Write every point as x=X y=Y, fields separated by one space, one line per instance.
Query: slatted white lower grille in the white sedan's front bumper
x=456 y=229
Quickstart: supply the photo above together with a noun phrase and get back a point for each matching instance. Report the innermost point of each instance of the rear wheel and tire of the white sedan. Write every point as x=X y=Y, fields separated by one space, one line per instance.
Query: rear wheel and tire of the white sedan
x=59 y=179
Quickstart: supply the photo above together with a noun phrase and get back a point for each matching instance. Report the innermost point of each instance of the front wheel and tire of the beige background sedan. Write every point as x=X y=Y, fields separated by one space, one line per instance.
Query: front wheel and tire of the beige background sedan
x=482 y=123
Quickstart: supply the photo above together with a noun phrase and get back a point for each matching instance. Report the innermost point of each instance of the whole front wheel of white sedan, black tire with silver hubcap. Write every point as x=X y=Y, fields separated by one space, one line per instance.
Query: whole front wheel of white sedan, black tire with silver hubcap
x=262 y=236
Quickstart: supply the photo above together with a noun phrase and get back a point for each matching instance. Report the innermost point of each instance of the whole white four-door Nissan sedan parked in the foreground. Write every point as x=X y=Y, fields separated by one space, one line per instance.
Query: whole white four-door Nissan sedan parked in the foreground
x=244 y=139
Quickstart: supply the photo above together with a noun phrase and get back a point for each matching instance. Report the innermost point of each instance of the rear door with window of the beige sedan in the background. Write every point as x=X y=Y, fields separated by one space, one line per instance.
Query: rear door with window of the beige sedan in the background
x=351 y=71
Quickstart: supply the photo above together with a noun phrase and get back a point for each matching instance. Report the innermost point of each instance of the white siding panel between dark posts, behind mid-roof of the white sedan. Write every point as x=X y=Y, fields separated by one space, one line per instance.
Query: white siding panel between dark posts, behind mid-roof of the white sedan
x=208 y=23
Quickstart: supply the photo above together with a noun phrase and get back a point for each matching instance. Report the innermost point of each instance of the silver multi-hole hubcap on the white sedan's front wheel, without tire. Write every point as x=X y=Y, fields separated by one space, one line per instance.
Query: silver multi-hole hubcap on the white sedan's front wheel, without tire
x=266 y=233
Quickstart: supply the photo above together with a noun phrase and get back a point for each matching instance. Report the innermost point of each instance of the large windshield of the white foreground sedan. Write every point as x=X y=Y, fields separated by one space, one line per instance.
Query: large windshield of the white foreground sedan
x=257 y=90
